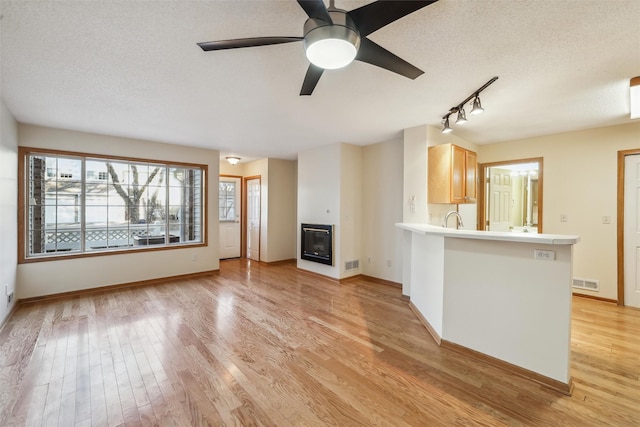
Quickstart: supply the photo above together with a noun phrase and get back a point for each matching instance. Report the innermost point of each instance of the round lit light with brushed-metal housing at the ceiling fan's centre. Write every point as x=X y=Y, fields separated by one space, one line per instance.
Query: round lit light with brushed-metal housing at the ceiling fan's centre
x=331 y=46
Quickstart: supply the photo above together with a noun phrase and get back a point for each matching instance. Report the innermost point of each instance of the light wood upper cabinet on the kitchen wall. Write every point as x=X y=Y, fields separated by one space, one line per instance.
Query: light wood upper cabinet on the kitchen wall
x=453 y=174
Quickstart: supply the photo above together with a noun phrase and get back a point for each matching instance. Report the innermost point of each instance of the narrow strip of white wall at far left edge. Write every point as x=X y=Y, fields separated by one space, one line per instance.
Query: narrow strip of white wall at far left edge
x=8 y=207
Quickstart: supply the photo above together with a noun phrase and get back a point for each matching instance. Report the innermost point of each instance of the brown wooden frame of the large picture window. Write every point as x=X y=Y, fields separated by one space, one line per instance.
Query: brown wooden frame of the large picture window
x=24 y=154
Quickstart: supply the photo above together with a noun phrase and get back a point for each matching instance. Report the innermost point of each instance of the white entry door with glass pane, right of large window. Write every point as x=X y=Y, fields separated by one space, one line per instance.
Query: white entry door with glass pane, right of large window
x=229 y=203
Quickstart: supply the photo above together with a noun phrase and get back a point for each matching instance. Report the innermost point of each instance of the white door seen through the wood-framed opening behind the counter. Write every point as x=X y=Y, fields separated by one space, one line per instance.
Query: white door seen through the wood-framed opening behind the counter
x=499 y=206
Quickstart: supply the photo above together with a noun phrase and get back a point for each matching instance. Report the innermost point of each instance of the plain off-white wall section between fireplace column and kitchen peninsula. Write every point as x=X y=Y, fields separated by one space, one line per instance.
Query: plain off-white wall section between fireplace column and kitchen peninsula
x=382 y=208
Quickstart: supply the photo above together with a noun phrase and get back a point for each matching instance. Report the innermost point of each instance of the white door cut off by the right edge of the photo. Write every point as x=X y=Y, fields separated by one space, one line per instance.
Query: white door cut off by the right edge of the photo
x=632 y=231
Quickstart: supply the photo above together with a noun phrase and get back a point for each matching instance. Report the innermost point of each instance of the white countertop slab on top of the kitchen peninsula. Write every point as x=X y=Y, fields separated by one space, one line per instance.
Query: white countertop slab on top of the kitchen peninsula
x=548 y=239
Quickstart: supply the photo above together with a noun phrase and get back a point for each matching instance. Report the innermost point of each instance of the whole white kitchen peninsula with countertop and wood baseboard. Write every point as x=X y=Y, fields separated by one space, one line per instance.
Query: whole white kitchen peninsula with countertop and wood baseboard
x=502 y=297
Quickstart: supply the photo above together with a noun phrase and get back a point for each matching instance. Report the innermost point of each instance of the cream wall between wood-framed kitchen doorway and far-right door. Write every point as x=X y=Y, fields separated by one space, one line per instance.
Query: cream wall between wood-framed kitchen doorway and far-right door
x=580 y=180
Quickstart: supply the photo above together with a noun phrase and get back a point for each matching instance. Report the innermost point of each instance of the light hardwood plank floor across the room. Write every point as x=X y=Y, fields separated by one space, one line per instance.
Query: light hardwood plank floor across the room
x=270 y=345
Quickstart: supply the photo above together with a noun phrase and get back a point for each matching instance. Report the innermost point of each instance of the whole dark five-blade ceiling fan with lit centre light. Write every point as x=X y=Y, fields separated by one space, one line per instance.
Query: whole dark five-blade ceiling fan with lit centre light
x=335 y=37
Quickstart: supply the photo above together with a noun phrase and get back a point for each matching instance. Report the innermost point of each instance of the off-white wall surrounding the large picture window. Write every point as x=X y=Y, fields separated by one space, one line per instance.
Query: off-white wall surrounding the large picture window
x=52 y=277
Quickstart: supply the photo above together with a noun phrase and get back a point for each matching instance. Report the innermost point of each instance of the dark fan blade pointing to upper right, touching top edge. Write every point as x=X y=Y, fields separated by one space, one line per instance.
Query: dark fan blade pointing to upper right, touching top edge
x=374 y=16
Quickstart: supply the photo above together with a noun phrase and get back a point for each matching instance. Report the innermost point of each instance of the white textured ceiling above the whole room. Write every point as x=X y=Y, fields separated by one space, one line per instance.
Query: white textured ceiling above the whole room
x=133 y=69
